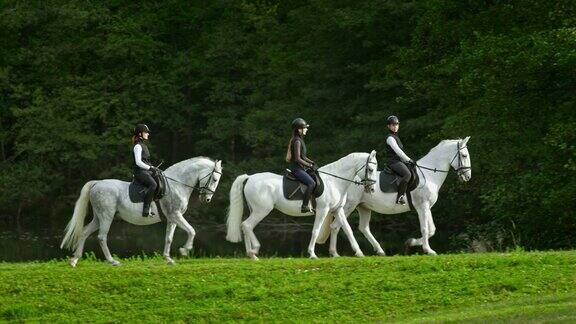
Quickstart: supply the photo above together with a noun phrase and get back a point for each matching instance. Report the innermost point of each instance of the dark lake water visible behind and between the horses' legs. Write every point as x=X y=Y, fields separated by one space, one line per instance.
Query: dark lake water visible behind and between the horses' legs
x=125 y=240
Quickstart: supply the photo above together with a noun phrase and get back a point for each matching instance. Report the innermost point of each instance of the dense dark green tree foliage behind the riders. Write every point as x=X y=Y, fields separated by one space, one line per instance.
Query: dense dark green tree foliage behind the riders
x=225 y=78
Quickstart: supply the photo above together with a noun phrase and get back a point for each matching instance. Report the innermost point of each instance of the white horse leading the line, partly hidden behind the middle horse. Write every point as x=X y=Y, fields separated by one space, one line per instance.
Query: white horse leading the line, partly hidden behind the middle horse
x=432 y=170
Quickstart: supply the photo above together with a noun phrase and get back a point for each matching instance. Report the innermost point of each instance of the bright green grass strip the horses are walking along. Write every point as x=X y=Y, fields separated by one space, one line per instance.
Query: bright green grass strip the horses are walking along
x=517 y=287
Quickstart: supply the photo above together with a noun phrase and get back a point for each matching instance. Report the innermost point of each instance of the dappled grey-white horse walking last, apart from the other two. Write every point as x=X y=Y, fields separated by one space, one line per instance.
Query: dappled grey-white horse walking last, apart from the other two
x=110 y=198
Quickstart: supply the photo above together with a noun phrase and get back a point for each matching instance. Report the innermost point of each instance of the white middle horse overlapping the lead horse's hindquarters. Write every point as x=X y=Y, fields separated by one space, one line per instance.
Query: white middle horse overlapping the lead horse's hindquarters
x=263 y=192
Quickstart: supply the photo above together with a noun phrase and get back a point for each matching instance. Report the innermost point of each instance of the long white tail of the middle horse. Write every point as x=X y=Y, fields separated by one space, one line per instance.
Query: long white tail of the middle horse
x=236 y=209
